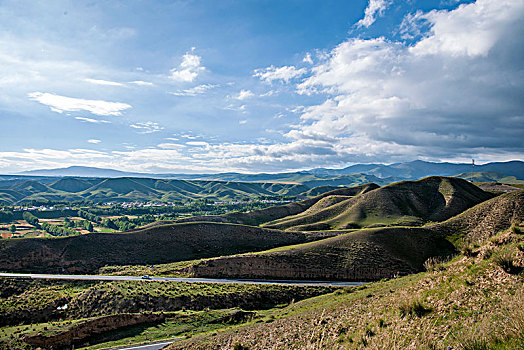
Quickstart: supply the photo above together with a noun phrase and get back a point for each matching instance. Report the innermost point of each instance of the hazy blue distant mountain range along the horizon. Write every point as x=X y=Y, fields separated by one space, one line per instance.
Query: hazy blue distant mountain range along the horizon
x=378 y=173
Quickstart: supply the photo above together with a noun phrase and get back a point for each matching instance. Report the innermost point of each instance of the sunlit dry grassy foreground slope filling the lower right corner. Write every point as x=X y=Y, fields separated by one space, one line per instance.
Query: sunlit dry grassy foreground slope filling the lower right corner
x=471 y=302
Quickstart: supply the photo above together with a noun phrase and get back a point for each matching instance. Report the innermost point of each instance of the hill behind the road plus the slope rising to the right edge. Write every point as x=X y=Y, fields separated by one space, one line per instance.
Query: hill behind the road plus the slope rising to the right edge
x=372 y=254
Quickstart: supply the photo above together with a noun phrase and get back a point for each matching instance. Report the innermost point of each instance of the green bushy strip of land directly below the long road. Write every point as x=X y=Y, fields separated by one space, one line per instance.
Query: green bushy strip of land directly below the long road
x=96 y=299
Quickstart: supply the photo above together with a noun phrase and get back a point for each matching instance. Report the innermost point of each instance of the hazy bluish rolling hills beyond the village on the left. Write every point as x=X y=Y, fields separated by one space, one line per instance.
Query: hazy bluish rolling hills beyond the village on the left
x=15 y=191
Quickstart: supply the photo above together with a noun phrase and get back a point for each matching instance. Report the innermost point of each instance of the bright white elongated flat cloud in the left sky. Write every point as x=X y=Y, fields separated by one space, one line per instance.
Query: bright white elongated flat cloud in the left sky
x=61 y=104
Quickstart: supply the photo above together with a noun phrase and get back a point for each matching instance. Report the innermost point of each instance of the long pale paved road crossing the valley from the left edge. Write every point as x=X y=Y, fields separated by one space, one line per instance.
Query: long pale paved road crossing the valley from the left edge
x=183 y=279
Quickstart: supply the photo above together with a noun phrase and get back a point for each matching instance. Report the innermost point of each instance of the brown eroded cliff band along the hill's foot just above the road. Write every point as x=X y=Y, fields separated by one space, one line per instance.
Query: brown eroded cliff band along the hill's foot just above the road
x=268 y=268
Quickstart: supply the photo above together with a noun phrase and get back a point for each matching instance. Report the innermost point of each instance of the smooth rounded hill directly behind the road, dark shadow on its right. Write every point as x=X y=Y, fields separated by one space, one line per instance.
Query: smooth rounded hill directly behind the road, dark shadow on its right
x=356 y=256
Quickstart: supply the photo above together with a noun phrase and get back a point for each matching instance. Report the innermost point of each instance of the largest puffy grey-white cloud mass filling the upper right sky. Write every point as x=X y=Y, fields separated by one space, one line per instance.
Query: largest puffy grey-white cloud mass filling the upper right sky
x=440 y=98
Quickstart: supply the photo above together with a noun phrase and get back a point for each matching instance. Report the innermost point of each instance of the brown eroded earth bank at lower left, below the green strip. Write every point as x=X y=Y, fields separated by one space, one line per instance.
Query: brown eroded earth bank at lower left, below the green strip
x=81 y=333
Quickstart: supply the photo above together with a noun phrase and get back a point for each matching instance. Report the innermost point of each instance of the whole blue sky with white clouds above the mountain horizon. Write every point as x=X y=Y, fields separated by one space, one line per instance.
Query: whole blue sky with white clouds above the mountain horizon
x=187 y=86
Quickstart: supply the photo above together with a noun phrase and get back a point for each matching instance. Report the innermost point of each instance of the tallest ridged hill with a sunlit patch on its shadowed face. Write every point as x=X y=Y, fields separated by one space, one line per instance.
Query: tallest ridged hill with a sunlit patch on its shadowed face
x=402 y=203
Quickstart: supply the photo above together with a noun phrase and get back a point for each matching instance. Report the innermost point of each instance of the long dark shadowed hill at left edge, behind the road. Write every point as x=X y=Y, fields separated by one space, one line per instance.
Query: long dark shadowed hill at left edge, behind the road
x=159 y=244
